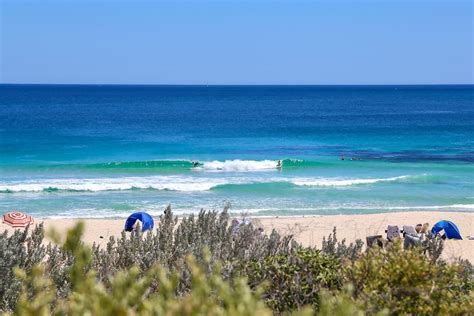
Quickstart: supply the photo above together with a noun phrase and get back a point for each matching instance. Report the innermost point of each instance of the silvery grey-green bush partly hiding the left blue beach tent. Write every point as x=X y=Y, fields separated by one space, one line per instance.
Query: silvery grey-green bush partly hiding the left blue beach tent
x=171 y=243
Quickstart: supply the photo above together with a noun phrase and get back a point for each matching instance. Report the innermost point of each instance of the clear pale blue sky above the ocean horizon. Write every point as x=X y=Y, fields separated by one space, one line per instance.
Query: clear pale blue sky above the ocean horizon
x=236 y=42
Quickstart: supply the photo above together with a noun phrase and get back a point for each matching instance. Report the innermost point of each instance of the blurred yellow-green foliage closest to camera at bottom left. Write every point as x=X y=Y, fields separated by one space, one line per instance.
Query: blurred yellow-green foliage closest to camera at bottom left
x=128 y=293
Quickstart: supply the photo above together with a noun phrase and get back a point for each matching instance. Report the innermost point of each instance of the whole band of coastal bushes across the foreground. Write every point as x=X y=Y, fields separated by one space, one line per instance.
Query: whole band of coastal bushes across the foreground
x=201 y=265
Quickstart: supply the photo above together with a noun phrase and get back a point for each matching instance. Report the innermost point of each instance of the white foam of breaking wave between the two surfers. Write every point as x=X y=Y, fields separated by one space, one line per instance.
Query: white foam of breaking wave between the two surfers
x=240 y=165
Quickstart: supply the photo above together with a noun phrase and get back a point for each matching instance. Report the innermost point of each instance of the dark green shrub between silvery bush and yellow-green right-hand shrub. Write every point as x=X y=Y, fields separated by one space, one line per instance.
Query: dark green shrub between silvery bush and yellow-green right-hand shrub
x=295 y=279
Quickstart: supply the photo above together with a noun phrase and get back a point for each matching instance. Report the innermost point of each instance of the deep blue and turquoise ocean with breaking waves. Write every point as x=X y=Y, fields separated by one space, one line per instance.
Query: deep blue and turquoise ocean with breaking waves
x=105 y=150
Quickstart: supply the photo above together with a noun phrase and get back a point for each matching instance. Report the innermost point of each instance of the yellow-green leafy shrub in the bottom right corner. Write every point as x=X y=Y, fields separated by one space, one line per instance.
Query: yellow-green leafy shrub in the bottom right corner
x=408 y=282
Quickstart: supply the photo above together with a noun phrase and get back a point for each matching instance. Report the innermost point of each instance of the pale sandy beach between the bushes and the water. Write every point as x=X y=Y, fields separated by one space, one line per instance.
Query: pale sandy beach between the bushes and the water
x=309 y=230
